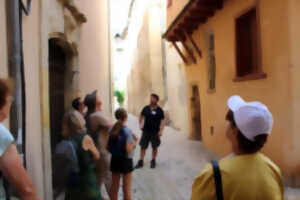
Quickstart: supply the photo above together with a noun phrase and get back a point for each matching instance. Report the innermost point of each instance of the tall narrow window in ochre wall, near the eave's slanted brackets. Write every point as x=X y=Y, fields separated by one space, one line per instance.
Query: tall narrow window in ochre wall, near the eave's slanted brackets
x=211 y=62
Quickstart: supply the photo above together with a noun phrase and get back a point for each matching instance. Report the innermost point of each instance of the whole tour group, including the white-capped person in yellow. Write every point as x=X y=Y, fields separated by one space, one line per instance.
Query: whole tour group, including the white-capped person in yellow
x=105 y=152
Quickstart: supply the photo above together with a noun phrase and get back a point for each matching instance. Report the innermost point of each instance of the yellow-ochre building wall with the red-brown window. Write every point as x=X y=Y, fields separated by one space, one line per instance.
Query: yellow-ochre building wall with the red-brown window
x=279 y=91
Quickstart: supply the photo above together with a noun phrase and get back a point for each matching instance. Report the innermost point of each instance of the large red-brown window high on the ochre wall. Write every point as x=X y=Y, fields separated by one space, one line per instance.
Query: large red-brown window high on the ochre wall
x=247 y=50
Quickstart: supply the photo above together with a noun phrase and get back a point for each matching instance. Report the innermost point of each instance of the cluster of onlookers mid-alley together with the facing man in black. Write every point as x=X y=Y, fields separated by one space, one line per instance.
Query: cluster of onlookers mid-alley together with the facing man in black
x=112 y=146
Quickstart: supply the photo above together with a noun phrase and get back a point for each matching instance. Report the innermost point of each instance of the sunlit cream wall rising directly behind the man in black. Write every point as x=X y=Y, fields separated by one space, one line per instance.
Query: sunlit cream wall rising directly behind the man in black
x=146 y=75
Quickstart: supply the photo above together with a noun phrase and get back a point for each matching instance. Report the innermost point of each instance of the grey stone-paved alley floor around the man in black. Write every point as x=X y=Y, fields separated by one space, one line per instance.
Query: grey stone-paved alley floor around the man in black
x=180 y=161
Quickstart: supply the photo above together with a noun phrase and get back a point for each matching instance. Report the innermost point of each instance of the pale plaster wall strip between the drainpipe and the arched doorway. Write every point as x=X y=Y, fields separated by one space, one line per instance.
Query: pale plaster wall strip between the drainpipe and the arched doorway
x=31 y=49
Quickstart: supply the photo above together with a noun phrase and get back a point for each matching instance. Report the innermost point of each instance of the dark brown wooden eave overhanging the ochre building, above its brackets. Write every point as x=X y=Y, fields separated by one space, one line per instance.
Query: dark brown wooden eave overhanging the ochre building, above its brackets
x=195 y=13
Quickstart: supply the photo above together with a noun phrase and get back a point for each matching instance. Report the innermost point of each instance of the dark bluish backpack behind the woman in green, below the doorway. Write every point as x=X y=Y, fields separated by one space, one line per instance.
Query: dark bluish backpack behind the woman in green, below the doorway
x=65 y=166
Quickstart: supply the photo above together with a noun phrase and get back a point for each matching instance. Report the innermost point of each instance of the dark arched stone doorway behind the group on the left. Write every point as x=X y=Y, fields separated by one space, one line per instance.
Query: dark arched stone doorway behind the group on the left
x=63 y=84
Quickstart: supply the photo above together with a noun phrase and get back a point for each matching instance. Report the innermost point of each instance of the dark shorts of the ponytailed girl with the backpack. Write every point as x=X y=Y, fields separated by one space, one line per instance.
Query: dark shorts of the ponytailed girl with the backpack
x=121 y=165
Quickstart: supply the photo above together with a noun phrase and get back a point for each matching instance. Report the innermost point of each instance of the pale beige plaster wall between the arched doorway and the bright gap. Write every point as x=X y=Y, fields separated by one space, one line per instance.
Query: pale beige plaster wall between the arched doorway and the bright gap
x=94 y=52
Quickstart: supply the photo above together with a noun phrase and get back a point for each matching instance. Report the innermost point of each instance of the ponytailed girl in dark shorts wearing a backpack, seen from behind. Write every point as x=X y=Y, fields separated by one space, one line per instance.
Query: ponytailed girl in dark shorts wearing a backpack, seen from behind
x=122 y=143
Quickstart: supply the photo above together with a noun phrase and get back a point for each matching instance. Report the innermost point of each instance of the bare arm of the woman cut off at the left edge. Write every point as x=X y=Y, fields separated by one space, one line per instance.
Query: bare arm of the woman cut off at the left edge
x=13 y=170
